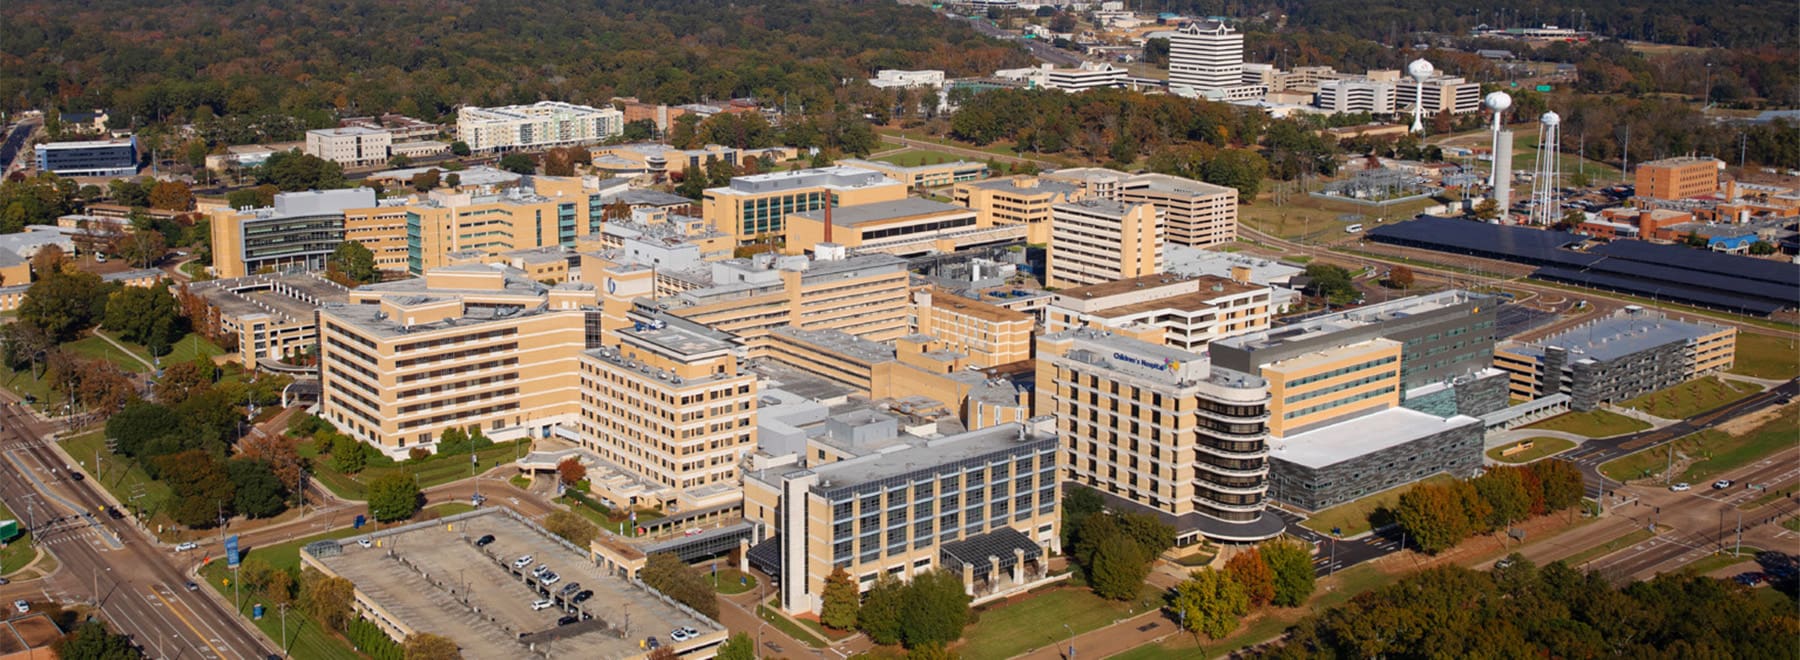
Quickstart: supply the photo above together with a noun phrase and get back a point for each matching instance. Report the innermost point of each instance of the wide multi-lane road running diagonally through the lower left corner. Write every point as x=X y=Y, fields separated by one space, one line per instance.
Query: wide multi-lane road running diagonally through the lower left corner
x=109 y=562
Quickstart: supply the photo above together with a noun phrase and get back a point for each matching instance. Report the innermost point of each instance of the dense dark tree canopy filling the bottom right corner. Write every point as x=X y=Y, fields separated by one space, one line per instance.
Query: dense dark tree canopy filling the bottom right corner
x=1556 y=612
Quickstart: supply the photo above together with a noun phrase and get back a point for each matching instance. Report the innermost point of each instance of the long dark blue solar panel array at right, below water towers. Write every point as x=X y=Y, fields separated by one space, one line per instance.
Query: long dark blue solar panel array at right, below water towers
x=1666 y=272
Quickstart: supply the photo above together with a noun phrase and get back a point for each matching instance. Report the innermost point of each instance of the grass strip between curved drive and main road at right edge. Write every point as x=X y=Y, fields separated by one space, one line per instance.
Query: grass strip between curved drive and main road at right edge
x=1716 y=452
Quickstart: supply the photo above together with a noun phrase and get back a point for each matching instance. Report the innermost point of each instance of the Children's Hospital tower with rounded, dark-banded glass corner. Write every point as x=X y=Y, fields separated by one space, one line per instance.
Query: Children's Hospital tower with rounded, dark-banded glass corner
x=1164 y=431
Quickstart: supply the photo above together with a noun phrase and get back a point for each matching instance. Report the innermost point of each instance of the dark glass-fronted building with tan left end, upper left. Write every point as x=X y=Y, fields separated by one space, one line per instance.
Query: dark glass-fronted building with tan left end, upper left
x=300 y=231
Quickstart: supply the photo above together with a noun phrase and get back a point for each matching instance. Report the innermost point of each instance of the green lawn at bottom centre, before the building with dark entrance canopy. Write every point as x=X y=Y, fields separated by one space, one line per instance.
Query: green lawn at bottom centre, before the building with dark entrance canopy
x=1038 y=621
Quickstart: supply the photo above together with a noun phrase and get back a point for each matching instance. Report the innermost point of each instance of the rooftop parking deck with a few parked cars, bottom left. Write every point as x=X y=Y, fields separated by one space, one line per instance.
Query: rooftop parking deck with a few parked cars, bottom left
x=447 y=578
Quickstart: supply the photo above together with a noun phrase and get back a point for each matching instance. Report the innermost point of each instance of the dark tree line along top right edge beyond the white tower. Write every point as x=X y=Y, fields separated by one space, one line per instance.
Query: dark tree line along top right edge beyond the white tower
x=1731 y=24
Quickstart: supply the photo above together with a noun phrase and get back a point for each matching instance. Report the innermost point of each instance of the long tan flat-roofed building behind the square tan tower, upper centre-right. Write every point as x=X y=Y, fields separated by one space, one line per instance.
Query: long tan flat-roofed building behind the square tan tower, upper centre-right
x=1194 y=213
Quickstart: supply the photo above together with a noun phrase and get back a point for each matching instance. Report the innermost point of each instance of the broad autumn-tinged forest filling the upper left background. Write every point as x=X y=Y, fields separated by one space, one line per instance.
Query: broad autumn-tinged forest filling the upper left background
x=318 y=58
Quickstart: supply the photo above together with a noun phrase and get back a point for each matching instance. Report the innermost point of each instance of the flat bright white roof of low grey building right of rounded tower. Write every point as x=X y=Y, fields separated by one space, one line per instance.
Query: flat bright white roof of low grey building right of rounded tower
x=1362 y=436
